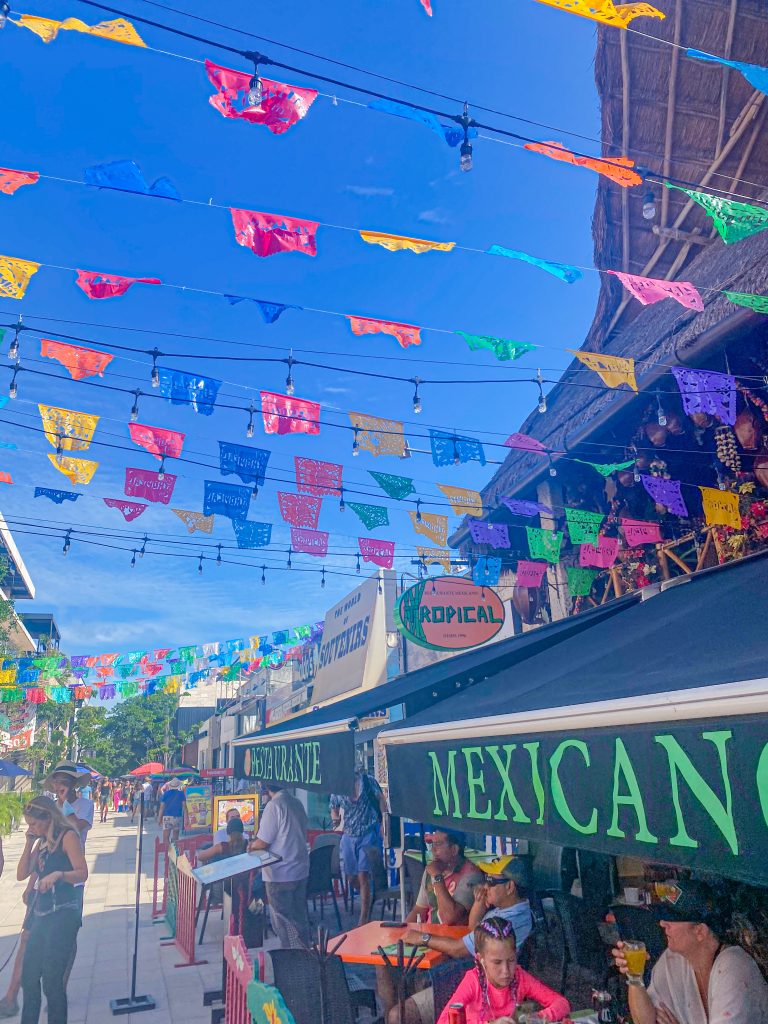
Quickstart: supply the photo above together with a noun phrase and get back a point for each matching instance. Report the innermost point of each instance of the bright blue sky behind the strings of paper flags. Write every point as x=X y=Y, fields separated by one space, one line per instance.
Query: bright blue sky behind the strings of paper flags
x=80 y=102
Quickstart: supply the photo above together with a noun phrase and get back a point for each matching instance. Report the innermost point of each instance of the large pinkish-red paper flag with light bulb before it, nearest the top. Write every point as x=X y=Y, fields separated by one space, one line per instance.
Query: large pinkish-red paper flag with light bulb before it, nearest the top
x=279 y=106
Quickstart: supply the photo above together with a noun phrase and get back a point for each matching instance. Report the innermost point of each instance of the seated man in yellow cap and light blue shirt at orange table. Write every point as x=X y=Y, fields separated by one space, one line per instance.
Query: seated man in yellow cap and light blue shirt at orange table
x=502 y=895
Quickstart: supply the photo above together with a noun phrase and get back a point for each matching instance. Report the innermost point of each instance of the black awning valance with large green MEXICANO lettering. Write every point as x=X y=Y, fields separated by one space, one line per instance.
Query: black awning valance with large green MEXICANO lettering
x=692 y=793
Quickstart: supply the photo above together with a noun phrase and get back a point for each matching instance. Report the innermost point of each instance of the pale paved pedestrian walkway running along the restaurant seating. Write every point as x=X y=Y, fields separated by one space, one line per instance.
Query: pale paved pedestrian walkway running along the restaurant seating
x=103 y=968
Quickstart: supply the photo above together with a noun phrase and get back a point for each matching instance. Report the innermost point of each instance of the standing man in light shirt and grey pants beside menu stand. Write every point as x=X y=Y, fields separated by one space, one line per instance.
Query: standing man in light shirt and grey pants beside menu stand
x=283 y=832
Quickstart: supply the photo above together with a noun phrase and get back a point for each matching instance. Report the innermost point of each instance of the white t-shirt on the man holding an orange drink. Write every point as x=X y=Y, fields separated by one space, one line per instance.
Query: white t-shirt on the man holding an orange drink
x=738 y=993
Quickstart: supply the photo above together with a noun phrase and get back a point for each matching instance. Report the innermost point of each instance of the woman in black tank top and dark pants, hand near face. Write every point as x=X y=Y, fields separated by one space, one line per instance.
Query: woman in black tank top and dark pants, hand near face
x=54 y=860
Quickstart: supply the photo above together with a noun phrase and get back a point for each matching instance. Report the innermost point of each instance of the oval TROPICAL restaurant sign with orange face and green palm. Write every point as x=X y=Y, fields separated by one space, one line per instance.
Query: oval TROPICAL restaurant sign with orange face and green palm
x=450 y=614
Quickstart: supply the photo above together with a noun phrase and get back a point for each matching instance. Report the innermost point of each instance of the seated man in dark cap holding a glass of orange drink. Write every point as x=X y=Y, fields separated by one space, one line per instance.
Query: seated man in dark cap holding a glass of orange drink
x=697 y=961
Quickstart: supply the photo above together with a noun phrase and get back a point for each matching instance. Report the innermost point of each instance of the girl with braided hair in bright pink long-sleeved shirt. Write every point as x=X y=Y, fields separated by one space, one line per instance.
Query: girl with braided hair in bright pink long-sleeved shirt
x=492 y=992
